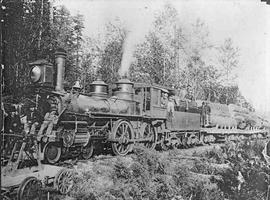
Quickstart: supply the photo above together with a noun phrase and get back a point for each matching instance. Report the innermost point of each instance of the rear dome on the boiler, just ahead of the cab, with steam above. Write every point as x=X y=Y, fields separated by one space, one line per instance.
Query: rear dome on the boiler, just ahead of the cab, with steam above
x=124 y=89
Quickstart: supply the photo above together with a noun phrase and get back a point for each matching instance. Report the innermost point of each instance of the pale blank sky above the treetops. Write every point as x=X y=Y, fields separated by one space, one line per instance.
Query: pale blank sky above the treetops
x=247 y=22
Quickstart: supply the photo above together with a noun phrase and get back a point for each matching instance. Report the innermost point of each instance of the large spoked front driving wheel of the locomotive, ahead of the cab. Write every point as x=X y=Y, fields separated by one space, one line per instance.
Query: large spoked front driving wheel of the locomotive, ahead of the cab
x=122 y=131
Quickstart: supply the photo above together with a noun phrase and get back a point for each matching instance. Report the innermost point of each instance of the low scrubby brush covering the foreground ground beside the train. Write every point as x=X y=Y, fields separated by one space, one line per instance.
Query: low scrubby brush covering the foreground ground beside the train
x=219 y=171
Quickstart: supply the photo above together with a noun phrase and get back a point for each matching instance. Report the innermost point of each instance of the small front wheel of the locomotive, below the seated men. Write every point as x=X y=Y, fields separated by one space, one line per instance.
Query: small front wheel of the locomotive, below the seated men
x=52 y=153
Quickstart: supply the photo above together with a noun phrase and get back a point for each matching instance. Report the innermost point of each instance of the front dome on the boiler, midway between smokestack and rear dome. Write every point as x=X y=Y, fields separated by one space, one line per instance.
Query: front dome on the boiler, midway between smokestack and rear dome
x=99 y=88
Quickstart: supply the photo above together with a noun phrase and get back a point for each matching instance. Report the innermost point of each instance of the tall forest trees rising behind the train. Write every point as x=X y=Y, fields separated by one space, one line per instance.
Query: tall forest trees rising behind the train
x=170 y=54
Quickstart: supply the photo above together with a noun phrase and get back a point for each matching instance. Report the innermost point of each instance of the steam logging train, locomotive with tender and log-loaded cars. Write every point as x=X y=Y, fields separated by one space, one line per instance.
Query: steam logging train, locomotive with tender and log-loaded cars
x=69 y=123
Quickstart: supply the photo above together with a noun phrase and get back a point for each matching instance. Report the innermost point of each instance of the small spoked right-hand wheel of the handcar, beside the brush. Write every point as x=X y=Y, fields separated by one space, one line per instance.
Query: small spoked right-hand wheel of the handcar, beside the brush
x=63 y=181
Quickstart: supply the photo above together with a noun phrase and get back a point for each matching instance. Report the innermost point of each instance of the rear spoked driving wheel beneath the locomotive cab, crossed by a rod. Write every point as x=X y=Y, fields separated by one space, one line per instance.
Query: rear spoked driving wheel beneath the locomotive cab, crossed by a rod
x=149 y=132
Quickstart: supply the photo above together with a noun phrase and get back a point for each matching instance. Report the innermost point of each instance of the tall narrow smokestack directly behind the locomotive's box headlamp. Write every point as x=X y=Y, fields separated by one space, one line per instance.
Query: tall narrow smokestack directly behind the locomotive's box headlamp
x=60 y=59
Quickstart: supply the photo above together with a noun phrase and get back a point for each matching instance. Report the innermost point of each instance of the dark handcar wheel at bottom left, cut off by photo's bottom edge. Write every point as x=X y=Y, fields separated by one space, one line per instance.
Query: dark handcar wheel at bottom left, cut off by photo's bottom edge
x=30 y=189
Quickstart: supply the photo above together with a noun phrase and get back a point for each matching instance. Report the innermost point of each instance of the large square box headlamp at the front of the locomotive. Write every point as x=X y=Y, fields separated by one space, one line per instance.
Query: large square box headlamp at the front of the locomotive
x=41 y=73
